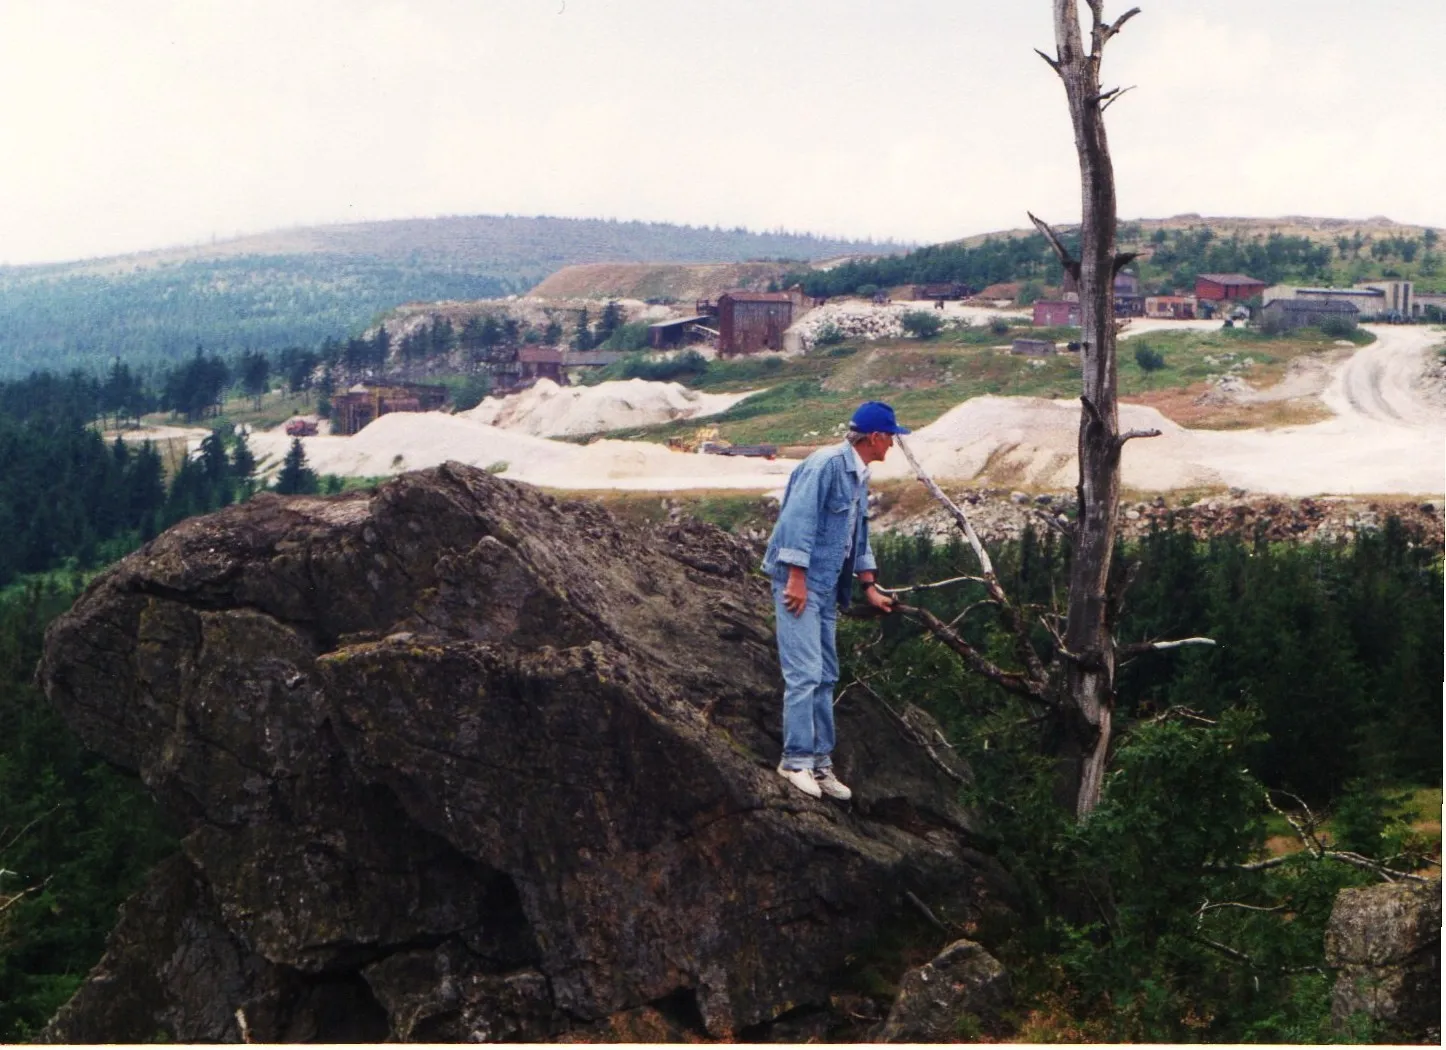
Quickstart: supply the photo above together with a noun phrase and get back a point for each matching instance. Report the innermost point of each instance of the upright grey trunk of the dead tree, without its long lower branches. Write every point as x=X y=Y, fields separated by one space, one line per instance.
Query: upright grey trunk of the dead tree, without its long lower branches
x=1088 y=699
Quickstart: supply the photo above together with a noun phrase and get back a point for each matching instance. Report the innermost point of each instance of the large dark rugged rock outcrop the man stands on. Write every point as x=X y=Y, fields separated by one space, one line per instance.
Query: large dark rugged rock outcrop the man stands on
x=458 y=761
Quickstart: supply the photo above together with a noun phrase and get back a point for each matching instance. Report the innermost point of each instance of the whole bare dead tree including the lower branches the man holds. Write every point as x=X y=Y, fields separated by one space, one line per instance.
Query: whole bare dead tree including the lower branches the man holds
x=1075 y=692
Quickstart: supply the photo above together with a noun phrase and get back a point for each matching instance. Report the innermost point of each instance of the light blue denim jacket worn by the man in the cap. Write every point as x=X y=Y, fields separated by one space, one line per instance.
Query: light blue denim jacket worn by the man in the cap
x=813 y=523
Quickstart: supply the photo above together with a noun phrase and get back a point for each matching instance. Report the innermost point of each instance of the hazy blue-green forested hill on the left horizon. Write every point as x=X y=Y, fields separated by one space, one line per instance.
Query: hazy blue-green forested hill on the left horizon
x=300 y=287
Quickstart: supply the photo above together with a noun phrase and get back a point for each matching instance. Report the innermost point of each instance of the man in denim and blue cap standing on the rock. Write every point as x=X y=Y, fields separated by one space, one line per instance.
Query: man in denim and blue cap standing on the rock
x=819 y=545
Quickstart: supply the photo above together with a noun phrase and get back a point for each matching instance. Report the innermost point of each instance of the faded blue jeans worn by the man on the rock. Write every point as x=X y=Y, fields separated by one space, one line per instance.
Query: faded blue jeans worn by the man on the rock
x=810 y=662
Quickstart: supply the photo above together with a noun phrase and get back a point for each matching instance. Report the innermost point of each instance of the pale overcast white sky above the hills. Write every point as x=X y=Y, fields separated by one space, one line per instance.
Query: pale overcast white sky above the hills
x=129 y=125
